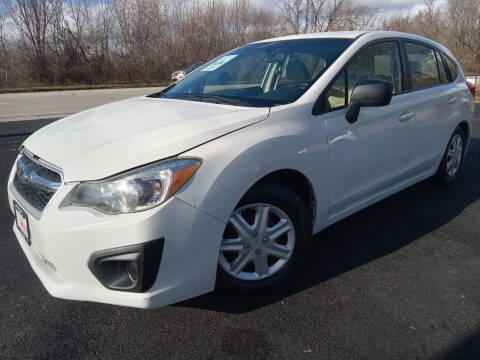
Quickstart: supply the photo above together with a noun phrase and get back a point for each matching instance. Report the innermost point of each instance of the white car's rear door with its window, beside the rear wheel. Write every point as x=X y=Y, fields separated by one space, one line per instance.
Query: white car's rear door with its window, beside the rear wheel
x=434 y=97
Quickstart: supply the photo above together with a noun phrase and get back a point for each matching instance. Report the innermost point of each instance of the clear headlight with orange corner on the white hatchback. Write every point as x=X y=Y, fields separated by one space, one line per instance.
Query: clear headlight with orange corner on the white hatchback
x=136 y=190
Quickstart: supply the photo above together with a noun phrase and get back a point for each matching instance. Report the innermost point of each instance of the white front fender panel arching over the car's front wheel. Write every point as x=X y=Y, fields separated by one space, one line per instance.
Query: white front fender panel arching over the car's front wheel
x=234 y=163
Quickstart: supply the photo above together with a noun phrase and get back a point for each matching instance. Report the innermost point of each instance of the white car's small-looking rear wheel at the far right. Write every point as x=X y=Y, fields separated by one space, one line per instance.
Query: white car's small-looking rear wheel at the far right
x=452 y=160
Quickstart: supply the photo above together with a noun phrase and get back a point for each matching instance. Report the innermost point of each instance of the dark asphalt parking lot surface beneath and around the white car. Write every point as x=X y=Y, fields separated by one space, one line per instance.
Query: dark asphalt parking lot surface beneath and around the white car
x=400 y=280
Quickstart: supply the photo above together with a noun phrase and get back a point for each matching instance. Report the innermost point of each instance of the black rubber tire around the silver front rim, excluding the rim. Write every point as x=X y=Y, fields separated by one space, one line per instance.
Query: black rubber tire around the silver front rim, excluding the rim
x=301 y=219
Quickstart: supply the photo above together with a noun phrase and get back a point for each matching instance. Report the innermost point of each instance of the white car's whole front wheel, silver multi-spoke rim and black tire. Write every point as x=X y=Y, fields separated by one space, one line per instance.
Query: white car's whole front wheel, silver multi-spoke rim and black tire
x=264 y=239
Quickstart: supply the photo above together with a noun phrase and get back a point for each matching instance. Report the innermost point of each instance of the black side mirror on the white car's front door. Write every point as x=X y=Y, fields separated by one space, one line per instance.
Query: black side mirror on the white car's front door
x=368 y=93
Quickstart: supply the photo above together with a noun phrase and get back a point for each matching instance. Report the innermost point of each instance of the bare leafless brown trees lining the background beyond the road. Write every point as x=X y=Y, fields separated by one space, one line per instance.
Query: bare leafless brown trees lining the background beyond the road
x=56 y=42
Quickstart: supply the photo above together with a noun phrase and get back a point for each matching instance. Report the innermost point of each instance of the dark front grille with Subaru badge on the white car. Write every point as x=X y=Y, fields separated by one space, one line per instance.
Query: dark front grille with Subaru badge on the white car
x=35 y=183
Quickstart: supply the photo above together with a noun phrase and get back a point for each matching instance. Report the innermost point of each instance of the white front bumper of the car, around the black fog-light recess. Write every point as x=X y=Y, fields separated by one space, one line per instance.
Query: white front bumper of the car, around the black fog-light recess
x=64 y=238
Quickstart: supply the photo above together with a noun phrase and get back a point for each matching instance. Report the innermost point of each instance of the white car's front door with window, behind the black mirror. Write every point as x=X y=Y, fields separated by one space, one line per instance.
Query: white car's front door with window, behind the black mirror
x=368 y=157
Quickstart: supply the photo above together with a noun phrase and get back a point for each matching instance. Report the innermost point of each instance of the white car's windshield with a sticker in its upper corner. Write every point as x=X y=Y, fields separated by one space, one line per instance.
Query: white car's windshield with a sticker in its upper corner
x=263 y=74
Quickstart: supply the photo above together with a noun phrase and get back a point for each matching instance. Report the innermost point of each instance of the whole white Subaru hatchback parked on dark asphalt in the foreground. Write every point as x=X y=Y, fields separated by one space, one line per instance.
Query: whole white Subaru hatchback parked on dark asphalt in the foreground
x=224 y=176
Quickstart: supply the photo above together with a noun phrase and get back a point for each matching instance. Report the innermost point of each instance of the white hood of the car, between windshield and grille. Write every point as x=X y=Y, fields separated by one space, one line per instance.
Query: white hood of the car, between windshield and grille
x=112 y=138
